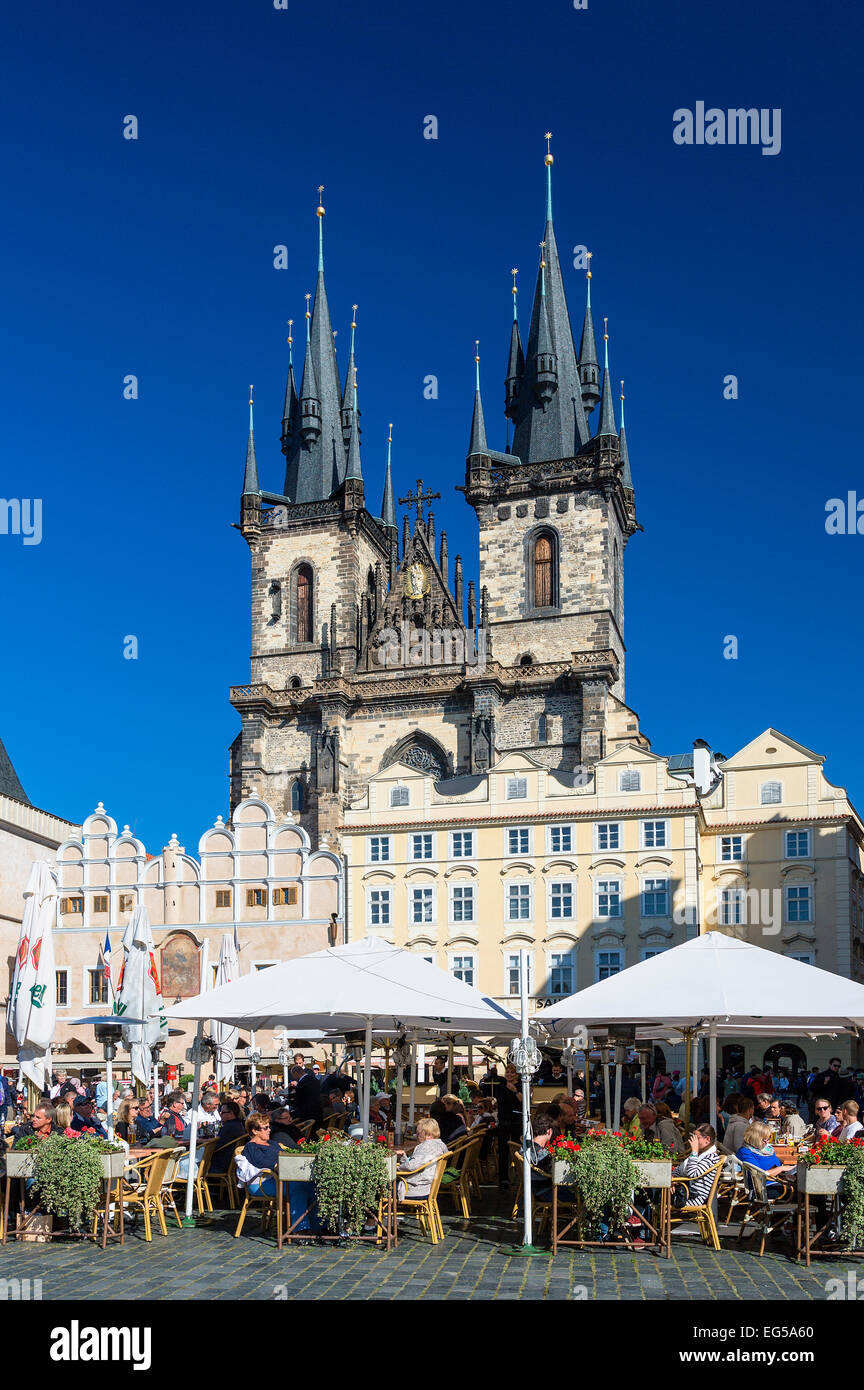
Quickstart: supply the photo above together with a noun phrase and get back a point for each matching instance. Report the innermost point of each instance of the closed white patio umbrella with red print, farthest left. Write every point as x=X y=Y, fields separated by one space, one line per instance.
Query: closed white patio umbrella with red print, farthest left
x=33 y=1003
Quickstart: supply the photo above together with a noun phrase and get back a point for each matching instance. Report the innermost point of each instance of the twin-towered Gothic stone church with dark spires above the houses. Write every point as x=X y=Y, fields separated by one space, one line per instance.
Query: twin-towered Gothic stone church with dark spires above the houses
x=367 y=646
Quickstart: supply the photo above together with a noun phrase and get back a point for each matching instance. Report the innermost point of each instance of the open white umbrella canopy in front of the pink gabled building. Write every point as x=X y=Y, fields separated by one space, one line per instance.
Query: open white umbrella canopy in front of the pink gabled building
x=345 y=988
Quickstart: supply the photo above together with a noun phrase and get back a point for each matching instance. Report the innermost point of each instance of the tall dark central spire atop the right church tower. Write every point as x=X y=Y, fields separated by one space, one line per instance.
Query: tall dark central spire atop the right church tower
x=549 y=426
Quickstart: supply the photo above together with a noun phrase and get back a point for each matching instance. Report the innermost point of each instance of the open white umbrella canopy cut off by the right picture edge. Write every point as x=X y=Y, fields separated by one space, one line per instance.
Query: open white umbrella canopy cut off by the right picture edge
x=713 y=978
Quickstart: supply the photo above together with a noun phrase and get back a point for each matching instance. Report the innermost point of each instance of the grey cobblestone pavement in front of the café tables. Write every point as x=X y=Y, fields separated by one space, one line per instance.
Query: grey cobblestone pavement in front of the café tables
x=473 y=1263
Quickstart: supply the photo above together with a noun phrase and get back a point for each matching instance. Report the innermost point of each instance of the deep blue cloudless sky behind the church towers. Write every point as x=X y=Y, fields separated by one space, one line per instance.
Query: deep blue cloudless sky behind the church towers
x=155 y=258
